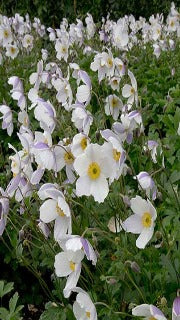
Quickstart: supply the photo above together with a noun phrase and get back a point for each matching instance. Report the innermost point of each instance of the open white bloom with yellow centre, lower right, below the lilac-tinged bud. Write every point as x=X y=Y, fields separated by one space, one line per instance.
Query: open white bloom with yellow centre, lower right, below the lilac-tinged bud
x=142 y=221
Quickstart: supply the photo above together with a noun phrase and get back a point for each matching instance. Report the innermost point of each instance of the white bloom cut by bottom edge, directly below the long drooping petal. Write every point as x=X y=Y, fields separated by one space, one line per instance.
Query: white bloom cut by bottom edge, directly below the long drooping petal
x=83 y=307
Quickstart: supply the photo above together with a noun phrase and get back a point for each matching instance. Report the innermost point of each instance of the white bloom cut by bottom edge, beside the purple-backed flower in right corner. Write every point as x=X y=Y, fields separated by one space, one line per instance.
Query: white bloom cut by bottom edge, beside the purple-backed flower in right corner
x=149 y=312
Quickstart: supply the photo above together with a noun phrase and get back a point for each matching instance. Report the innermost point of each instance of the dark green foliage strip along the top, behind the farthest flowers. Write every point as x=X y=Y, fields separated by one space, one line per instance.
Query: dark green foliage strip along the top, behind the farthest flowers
x=51 y=12
